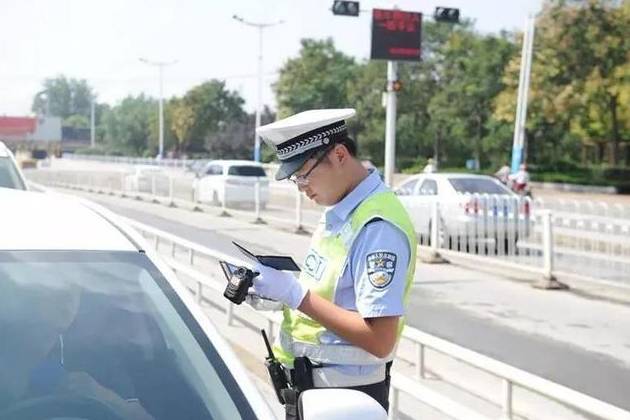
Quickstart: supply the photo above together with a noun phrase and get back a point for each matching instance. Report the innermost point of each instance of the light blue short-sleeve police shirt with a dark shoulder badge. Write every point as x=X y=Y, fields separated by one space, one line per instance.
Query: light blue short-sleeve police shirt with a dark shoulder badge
x=379 y=242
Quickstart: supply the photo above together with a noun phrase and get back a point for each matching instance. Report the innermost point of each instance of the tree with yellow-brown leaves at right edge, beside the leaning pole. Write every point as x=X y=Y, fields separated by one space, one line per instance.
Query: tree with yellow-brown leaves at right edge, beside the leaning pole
x=580 y=77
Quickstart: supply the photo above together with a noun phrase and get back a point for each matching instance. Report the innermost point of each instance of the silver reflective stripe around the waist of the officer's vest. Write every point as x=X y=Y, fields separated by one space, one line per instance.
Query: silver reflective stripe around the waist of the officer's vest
x=337 y=354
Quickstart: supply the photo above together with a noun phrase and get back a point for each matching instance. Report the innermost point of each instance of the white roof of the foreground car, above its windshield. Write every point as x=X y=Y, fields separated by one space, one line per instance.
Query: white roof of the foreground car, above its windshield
x=47 y=221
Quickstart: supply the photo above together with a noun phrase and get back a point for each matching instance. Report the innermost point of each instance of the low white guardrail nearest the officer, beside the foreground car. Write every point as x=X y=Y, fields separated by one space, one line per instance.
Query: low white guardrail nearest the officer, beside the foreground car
x=509 y=375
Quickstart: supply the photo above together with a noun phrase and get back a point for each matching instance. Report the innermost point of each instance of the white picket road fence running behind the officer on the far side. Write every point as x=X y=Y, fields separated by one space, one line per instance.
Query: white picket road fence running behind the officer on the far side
x=499 y=228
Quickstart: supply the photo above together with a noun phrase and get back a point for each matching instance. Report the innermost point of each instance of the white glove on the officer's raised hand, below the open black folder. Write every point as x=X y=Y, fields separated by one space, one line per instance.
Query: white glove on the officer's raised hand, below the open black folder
x=278 y=285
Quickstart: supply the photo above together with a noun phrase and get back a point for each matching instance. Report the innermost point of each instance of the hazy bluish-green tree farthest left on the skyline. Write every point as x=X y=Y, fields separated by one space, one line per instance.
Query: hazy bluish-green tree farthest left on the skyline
x=63 y=97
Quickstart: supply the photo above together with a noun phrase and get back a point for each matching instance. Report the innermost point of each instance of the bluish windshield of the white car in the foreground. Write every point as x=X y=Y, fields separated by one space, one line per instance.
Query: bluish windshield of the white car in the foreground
x=102 y=335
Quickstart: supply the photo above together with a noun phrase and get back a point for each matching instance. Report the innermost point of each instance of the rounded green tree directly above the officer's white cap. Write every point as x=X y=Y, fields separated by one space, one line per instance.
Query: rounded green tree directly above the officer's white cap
x=317 y=78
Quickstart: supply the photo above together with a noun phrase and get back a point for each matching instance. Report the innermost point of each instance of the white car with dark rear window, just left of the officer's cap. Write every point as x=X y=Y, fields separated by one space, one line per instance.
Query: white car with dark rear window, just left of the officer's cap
x=233 y=182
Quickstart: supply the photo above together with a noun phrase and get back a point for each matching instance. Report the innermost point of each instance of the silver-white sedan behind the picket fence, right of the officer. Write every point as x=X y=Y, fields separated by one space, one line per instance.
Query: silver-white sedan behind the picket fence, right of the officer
x=470 y=206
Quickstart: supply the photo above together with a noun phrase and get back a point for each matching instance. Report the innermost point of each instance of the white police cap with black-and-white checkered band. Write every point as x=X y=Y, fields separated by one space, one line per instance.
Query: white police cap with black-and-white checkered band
x=299 y=136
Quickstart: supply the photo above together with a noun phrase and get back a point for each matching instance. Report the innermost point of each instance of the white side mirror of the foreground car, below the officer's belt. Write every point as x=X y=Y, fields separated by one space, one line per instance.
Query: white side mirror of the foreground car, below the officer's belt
x=339 y=404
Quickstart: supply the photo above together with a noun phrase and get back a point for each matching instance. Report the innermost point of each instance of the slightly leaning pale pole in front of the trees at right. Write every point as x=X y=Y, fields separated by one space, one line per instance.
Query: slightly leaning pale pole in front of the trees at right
x=523 y=88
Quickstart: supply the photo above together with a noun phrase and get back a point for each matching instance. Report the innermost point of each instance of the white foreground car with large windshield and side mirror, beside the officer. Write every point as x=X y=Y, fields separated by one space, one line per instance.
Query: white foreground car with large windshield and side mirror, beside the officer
x=96 y=326
